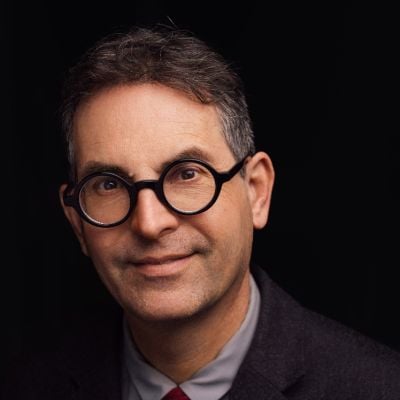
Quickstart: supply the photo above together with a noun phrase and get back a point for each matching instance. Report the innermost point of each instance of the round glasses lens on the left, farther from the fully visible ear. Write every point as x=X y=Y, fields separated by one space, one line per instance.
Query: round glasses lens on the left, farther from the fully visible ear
x=104 y=199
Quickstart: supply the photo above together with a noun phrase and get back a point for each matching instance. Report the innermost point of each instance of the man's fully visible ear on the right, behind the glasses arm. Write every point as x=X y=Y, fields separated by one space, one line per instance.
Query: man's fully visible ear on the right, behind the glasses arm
x=260 y=180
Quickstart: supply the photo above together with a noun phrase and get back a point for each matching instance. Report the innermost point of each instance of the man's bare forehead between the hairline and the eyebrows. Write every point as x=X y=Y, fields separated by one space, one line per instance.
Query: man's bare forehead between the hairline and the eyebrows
x=144 y=125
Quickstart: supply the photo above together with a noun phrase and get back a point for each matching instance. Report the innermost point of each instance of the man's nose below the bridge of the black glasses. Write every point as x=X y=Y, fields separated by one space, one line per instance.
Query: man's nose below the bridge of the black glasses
x=150 y=218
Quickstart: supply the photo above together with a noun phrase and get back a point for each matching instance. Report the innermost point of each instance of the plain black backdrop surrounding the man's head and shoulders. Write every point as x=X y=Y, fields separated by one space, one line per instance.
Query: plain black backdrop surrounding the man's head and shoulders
x=319 y=82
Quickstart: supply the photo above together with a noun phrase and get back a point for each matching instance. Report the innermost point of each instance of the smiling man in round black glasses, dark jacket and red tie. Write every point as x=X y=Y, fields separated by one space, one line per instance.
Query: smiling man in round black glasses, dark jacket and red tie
x=166 y=189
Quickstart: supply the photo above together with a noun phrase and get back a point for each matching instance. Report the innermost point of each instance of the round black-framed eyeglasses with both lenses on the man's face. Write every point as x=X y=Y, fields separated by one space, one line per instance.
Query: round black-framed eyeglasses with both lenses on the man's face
x=186 y=186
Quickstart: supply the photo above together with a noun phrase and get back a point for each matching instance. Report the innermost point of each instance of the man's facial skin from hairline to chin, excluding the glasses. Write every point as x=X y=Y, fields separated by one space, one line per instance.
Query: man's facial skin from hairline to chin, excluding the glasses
x=160 y=265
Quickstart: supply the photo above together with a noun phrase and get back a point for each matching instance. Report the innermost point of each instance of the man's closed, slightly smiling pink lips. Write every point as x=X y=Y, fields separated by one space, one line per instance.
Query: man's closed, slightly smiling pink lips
x=162 y=266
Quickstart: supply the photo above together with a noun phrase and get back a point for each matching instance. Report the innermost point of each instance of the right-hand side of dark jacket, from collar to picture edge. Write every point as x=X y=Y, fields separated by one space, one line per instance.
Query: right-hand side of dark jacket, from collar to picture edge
x=305 y=355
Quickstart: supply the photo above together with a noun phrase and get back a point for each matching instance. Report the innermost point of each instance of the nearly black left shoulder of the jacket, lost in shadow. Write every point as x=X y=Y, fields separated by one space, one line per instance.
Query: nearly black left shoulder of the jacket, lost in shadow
x=87 y=350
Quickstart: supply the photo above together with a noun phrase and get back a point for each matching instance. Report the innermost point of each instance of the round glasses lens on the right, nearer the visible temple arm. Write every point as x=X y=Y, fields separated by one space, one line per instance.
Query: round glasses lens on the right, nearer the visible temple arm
x=189 y=186
